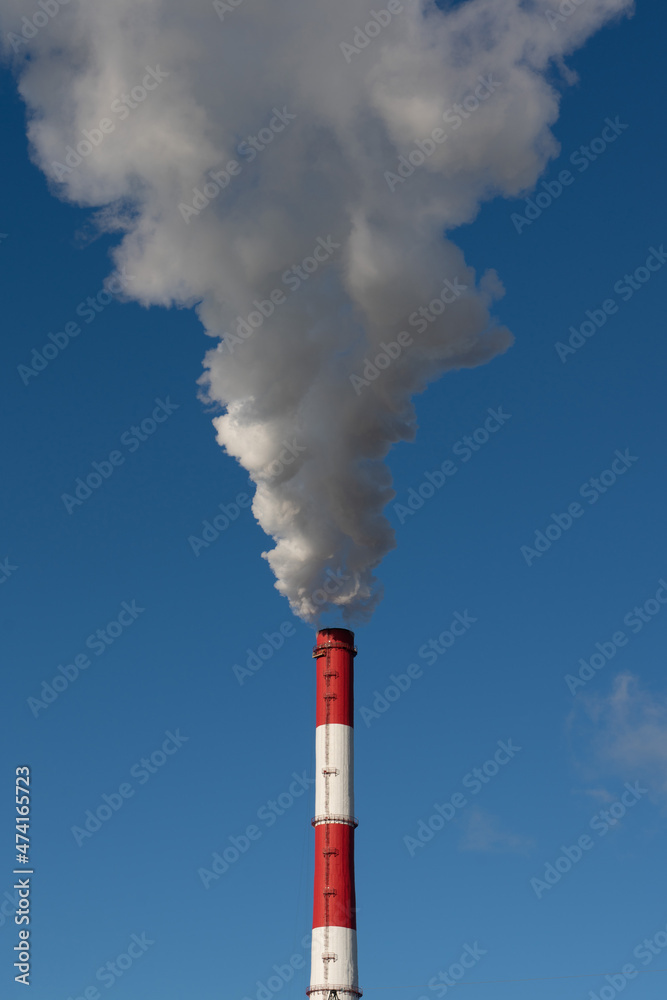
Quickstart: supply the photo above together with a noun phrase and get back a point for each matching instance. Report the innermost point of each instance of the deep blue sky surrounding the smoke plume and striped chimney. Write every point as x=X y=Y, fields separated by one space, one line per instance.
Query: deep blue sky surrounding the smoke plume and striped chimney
x=169 y=666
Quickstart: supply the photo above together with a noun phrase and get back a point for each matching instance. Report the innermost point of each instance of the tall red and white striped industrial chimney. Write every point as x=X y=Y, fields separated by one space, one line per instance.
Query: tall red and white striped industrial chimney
x=333 y=968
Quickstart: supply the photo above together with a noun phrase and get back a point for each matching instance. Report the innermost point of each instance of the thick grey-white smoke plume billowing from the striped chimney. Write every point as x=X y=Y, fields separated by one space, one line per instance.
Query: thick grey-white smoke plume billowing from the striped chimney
x=290 y=169
